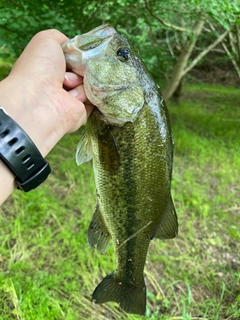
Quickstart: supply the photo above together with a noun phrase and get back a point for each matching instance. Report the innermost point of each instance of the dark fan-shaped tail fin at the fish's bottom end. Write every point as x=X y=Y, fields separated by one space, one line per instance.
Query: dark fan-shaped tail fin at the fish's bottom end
x=131 y=299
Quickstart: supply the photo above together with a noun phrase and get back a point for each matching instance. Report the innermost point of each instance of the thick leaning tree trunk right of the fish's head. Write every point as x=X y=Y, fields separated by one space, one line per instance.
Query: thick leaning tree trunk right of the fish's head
x=182 y=61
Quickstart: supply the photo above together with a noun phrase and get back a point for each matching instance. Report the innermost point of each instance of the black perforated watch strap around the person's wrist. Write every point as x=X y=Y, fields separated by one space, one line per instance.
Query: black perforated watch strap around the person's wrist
x=21 y=155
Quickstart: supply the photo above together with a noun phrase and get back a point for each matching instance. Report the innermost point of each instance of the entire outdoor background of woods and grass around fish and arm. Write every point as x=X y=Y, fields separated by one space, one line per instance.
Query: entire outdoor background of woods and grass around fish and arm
x=192 y=49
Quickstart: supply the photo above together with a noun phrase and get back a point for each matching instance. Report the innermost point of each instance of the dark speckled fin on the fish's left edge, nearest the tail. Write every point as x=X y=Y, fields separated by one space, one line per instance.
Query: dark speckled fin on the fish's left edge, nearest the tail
x=98 y=234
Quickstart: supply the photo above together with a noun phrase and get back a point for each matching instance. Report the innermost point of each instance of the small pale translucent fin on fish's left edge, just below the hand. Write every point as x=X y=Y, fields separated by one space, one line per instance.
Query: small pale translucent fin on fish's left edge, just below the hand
x=84 y=149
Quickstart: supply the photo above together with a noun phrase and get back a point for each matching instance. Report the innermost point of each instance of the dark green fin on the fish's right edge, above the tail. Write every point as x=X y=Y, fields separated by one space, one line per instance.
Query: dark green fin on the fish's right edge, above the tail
x=168 y=228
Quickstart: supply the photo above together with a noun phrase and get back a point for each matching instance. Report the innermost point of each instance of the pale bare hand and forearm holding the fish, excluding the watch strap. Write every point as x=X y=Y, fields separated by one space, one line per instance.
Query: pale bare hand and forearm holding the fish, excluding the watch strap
x=33 y=95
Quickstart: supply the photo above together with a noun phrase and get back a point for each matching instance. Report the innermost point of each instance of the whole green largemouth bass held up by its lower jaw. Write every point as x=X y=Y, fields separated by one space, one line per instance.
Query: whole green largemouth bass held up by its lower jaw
x=130 y=143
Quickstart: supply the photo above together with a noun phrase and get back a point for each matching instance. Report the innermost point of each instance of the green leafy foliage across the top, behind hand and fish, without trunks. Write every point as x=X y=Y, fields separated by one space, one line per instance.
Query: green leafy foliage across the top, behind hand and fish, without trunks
x=147 y=24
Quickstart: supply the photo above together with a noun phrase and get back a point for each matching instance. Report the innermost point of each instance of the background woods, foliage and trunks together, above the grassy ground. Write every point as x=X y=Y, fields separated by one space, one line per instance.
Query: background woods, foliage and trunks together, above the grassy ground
x=172 y=38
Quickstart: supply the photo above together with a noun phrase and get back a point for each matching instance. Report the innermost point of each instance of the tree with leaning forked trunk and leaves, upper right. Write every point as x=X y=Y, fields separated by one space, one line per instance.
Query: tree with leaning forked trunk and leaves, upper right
x=194 y=15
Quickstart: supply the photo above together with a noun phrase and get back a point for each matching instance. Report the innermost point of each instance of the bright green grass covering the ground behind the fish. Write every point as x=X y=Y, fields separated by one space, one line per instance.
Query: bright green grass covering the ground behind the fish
x=48 y=271
